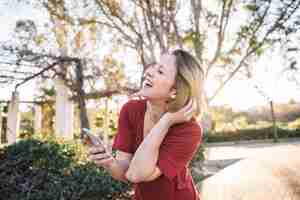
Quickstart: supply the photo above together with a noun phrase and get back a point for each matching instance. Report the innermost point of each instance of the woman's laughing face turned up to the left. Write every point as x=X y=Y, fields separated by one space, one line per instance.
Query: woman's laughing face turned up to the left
x=159 y=79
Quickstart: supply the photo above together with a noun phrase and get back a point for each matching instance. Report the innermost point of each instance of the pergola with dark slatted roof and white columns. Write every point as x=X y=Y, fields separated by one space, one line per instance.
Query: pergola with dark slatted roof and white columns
x=16 y=75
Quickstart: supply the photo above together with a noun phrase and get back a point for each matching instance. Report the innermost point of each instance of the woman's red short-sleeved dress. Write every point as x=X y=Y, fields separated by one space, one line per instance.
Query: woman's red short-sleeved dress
x=175 y=153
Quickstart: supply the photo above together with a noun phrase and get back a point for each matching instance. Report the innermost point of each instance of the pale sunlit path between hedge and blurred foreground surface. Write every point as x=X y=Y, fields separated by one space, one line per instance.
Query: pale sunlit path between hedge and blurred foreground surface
x=220 y=155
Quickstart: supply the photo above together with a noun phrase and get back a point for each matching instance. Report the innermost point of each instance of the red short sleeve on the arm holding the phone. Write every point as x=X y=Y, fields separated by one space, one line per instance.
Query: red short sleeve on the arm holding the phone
x=124 y=138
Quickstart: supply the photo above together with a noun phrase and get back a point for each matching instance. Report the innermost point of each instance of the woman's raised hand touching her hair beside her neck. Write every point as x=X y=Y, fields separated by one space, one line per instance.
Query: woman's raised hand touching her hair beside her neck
x=183 y=115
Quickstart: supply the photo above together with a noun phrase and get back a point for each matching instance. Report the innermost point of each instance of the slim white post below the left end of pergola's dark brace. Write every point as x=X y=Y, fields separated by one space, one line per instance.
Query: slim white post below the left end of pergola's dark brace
x=13 y=119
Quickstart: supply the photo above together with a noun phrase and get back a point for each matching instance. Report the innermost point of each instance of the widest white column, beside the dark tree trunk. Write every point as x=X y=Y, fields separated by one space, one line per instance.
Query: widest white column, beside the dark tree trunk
x=64 y=114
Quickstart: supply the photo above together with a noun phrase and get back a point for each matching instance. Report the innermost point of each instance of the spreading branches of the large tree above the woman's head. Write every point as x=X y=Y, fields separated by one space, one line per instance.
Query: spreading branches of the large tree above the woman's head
x=156 y=26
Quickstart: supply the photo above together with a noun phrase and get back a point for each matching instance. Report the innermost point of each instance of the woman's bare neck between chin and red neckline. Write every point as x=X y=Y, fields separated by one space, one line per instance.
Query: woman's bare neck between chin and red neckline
x=156 y=110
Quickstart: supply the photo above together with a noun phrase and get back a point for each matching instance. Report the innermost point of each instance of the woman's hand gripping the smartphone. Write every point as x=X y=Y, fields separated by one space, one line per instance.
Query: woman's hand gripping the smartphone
x=100 y=156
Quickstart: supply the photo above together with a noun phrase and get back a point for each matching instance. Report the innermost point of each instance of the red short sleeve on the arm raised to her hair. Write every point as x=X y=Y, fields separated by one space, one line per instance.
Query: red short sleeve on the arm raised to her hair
x=178 y=149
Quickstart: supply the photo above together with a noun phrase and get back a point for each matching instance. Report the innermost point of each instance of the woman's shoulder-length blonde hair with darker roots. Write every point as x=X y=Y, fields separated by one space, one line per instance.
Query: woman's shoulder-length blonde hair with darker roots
x=189 y=82
